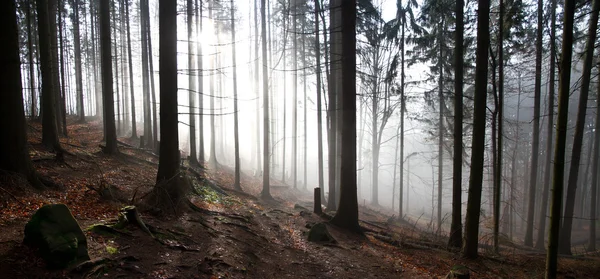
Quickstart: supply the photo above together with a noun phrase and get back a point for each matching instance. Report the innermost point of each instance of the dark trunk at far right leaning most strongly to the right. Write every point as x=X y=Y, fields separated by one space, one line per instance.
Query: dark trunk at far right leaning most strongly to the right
x=565 y=231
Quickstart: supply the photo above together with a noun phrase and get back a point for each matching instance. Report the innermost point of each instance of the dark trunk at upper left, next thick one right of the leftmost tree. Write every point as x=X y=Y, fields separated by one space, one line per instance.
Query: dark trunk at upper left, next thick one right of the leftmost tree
x=49 y=126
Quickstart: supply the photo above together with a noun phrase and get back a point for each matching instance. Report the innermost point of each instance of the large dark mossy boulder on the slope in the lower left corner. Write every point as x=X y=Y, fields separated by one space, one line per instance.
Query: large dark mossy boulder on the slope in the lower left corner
x=57 y=236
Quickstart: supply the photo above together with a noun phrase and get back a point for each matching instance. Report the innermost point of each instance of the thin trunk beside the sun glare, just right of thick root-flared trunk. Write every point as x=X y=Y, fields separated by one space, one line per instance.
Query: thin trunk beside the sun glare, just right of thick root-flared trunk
x=192 y=83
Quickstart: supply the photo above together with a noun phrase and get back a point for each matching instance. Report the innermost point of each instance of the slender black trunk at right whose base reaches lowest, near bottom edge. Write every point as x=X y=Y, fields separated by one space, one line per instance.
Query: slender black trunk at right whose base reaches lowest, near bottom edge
x=561 y=138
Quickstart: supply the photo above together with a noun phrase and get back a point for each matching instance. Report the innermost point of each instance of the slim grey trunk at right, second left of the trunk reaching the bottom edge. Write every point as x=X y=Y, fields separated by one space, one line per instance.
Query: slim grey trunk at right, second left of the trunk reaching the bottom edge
x=536 y=129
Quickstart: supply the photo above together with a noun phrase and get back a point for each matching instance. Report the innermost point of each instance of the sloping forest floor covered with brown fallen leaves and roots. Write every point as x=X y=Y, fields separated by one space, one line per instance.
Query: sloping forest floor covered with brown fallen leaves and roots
x=231 y=234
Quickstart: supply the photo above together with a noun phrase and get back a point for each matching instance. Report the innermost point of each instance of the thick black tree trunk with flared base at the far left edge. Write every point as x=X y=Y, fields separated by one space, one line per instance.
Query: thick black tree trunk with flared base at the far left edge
x=14 y=148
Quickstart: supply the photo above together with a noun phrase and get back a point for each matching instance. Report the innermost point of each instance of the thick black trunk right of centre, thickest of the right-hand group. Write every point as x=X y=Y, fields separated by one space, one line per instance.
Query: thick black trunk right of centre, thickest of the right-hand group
x=471 y=241
